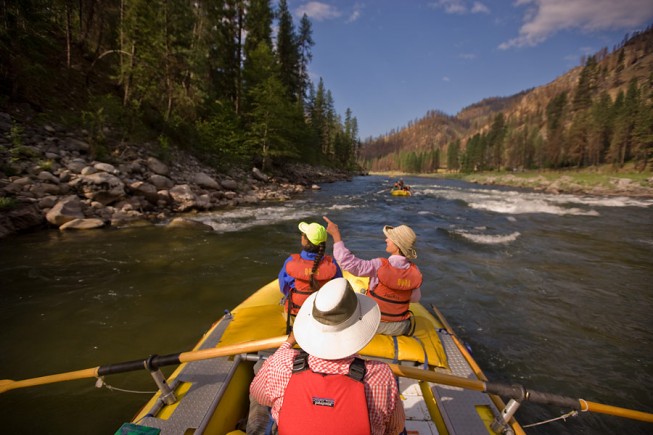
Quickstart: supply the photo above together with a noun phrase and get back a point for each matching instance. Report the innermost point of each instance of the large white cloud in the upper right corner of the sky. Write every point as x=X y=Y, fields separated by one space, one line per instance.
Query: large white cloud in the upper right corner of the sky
x=543 y=18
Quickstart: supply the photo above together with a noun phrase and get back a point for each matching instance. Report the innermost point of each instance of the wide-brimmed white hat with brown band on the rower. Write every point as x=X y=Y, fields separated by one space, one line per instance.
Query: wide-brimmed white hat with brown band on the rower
x=336 y=322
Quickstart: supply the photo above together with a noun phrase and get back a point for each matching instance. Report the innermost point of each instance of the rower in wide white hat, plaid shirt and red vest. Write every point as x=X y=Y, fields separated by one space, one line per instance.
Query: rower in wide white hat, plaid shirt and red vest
x=327 y=389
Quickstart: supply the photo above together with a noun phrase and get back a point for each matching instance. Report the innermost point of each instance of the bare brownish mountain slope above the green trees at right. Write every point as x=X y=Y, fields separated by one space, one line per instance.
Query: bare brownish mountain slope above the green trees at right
x=435 y=131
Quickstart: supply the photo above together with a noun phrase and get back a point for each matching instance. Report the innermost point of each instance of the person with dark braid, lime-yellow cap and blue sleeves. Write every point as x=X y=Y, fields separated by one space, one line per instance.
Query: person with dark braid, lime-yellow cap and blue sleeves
x=304 y=273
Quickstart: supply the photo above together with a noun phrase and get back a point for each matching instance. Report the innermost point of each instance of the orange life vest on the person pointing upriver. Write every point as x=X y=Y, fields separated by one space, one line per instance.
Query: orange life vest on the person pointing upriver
x=394 y=290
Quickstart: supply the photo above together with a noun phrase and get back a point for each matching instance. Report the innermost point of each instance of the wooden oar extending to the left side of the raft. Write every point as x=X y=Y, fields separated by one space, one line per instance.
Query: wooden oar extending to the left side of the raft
x=152 y=362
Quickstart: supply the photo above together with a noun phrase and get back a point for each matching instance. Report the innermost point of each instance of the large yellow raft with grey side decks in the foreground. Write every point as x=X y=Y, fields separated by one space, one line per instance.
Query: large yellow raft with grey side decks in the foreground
x=212 y=395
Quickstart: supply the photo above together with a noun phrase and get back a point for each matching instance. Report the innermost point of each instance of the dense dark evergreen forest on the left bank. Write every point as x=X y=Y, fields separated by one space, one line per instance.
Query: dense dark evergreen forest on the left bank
x=208 y=75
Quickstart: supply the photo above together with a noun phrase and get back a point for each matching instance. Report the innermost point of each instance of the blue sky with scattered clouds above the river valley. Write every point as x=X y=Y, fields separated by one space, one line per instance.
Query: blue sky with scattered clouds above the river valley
x=391 y=61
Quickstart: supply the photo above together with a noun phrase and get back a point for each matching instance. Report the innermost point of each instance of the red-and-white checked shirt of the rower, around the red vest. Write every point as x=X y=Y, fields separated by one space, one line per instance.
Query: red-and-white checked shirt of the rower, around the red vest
x=384 y=405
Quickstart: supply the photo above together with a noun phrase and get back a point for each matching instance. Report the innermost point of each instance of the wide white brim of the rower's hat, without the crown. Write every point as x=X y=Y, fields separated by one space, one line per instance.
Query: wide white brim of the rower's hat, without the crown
x=314 y=338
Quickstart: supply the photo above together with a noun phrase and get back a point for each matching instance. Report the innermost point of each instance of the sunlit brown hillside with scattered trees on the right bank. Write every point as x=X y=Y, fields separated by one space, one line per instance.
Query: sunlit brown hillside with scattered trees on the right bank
x=598 y=113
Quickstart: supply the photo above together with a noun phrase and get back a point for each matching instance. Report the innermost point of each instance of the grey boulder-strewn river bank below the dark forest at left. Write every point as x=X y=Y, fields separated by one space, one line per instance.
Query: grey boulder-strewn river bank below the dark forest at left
x=48 y=179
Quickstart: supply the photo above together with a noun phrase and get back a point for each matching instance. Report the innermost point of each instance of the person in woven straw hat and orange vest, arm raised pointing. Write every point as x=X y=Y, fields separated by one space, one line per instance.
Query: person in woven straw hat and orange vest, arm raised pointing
x=394 y=281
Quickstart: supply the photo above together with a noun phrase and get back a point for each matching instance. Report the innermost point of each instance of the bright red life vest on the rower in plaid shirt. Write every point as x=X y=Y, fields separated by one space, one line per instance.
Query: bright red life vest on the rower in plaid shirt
x=324 y=404
